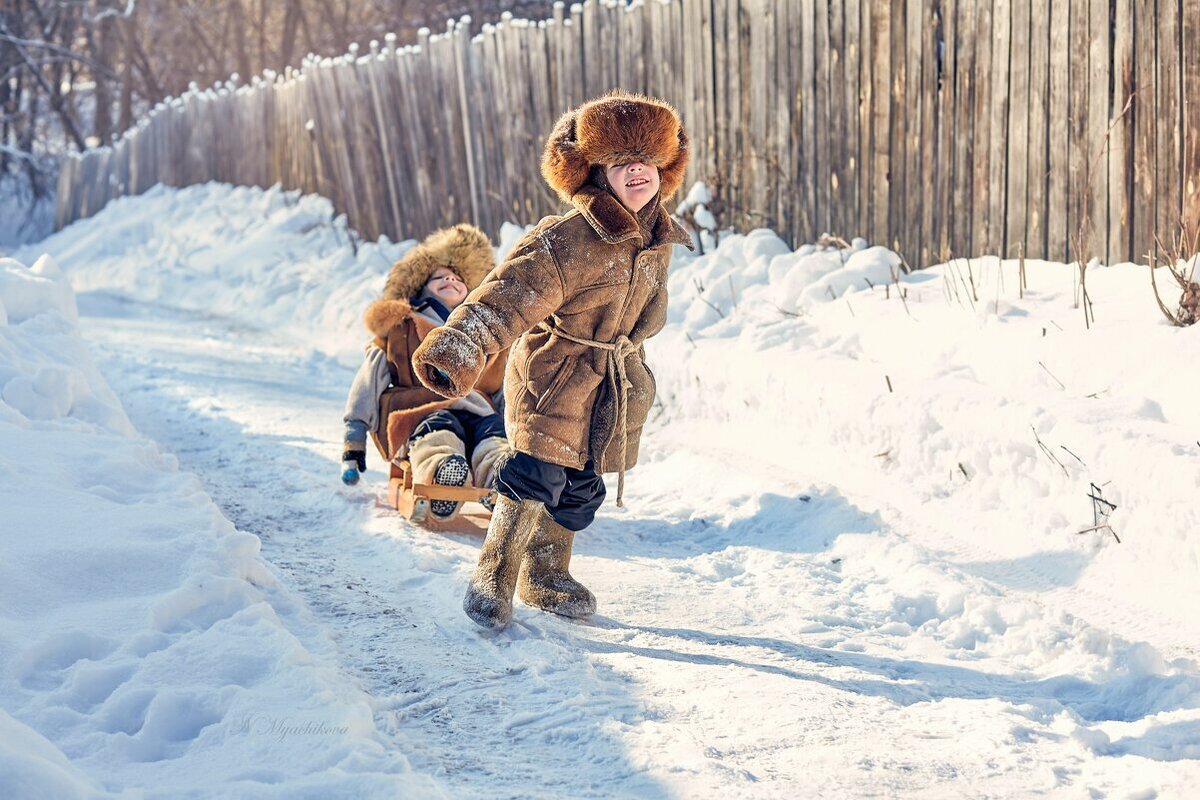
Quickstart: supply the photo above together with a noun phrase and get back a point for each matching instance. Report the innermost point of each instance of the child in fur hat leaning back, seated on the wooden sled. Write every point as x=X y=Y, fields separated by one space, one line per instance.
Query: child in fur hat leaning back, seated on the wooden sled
x=448 y=442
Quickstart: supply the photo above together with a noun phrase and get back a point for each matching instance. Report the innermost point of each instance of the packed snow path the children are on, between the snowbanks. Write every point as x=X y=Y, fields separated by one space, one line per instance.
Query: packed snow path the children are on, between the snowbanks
x=755 y=635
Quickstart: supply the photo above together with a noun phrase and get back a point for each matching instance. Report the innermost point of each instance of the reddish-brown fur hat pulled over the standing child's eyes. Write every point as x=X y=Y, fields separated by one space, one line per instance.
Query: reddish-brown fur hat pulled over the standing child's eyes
x=616 y=129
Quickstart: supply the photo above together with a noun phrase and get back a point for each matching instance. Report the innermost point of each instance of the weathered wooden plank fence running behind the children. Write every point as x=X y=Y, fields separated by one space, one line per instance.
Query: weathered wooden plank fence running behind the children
x=935 y=127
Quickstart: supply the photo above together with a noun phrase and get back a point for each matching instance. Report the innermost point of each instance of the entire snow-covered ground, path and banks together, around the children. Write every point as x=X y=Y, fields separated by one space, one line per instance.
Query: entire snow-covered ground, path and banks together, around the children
x=849 y=566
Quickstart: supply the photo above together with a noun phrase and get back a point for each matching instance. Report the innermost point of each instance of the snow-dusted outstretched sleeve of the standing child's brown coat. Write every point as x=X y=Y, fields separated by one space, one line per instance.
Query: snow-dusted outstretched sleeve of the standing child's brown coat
x=526 y=290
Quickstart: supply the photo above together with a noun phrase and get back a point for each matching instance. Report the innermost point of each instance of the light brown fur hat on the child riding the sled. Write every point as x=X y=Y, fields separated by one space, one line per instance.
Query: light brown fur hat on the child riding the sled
x=465 y=249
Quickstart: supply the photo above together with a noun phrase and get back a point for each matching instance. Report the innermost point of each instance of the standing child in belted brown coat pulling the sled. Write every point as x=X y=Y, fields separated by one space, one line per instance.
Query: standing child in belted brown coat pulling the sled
x=577 y=299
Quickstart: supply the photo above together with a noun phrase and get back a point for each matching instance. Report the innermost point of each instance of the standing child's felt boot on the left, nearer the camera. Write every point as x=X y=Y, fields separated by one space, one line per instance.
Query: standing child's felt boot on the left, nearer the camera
x=489 y=600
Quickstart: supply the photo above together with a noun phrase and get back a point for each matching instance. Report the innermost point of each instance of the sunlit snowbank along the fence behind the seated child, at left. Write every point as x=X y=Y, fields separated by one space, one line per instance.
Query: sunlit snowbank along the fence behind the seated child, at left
x=272 y=260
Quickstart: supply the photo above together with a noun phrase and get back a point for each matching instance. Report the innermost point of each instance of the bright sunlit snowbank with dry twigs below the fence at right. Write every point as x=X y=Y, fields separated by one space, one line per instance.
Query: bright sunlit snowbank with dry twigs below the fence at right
x=993 y=411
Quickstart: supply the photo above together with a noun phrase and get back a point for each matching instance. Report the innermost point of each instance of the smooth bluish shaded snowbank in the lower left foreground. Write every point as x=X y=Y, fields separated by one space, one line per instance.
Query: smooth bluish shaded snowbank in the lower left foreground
x=145 y=645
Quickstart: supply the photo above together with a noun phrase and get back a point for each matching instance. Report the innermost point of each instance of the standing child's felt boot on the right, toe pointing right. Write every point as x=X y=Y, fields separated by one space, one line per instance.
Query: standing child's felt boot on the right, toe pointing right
x=544 y=581
